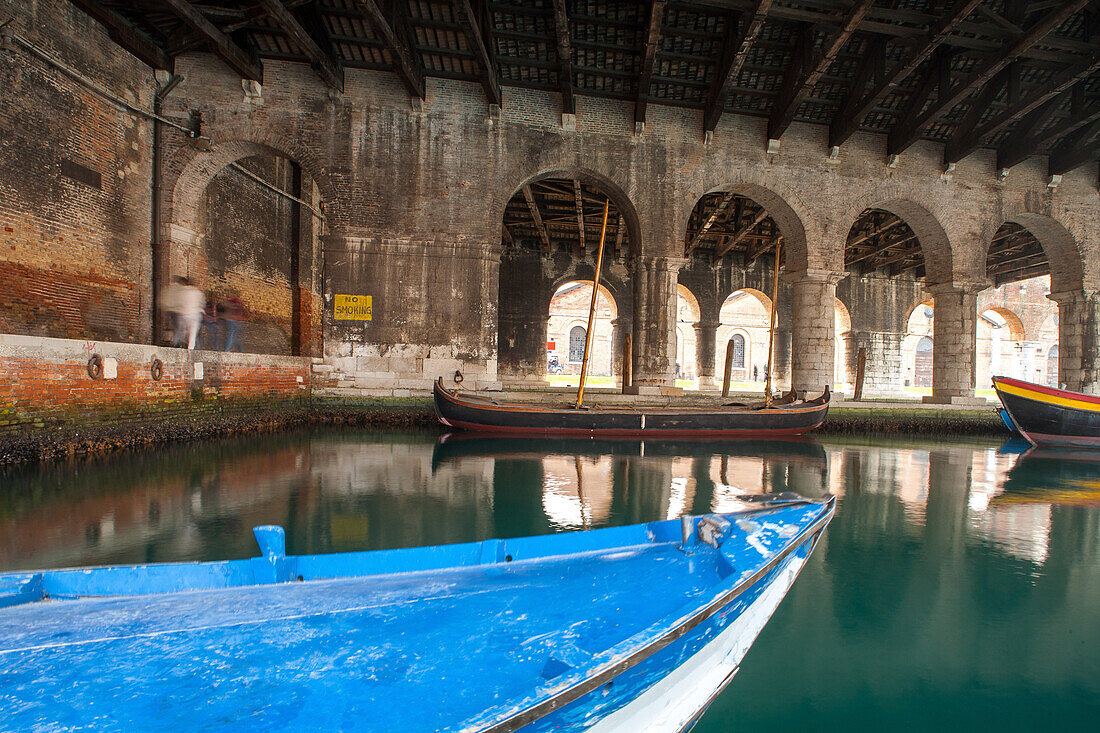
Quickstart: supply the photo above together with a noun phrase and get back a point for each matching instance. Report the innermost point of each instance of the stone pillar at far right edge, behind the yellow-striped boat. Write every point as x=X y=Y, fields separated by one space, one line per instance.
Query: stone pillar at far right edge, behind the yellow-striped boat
x=1080 y=340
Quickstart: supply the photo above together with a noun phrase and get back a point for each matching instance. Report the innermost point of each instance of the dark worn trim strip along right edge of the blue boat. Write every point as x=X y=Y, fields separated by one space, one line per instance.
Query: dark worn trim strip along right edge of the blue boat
x=613 y=670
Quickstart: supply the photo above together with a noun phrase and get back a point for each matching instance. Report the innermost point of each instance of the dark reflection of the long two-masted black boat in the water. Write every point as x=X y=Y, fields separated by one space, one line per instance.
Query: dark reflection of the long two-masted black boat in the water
x=454 y=446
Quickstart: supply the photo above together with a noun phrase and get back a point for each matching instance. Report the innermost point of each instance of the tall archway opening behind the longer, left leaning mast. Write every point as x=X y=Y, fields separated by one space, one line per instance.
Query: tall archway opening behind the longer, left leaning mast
x=549 y=235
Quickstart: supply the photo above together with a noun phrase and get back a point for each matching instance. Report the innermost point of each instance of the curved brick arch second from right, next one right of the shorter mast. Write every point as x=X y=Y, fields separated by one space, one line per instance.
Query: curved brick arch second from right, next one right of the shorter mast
x=925 y=220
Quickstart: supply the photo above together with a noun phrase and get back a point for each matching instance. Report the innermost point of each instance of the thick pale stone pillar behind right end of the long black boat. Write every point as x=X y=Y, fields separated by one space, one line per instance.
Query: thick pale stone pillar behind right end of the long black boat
x=813 y=296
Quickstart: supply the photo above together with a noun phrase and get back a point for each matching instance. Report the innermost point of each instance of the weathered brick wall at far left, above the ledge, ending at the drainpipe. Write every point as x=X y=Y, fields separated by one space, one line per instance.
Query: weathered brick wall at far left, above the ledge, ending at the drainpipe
x=76 y=185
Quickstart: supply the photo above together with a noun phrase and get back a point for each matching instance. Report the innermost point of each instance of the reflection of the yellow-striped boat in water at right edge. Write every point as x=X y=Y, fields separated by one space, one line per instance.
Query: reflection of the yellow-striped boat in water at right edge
x=1054 y=476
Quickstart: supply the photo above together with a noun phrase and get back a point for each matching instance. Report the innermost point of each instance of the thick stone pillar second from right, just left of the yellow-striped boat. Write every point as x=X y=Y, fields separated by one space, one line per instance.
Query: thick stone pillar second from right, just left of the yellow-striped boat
x=954 y=343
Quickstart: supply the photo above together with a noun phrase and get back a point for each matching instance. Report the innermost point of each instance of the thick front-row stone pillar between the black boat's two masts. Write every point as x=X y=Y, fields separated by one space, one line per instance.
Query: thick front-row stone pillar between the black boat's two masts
x=655 y=321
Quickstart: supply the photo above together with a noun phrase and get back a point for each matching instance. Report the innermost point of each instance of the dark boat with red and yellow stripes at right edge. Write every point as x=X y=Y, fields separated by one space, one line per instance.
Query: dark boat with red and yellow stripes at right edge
x=1047 y=417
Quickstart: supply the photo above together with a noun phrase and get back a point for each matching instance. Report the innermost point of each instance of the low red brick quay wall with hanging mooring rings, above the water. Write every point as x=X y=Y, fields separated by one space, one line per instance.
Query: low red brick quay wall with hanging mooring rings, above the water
x=46 y=386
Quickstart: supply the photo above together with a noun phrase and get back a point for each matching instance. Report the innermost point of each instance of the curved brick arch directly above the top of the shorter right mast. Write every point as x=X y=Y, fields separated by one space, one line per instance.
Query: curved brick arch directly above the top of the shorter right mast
x=785 y=207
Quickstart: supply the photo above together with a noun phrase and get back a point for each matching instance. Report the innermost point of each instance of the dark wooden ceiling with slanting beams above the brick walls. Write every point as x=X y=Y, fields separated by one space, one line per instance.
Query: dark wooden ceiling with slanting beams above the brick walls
x=1018 y=76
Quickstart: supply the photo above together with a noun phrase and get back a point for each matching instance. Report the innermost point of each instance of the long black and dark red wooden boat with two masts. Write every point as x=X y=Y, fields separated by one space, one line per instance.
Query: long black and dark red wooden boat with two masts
x=469 y=412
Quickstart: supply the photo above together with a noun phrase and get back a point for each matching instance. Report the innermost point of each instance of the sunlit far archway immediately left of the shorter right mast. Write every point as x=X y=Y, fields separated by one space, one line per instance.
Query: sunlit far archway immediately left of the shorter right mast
x=743 y=326
